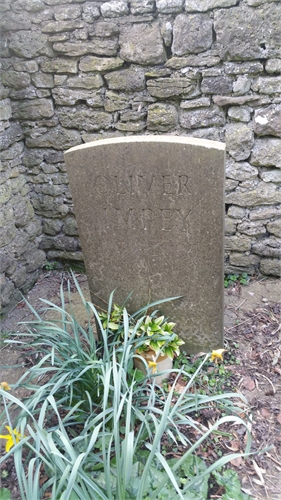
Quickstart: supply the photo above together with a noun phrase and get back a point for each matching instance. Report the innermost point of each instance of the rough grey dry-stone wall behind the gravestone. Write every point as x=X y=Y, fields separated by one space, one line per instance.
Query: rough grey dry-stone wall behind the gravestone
x=75 y=71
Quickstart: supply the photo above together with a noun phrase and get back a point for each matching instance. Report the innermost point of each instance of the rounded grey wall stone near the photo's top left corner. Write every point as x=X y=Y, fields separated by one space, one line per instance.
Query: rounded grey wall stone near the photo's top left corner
x=30 y=44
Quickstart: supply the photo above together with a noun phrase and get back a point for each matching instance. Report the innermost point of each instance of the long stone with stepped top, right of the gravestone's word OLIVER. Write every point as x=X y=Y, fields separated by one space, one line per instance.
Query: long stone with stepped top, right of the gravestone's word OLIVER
x=264 y=194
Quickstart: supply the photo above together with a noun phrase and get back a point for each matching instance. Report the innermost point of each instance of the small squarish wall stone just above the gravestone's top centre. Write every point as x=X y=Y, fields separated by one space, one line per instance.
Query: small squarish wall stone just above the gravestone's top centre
x=162 y=117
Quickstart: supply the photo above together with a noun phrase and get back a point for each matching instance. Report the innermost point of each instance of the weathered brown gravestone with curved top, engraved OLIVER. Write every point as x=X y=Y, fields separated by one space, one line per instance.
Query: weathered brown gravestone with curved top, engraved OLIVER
x=150 y=214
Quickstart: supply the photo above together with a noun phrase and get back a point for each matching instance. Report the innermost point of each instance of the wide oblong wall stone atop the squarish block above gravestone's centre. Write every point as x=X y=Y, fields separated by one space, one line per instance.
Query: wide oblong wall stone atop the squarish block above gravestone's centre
x=171 y=87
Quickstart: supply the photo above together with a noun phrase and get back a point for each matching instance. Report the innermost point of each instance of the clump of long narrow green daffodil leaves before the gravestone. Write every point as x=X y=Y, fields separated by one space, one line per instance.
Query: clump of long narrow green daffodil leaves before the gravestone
x=90 y=429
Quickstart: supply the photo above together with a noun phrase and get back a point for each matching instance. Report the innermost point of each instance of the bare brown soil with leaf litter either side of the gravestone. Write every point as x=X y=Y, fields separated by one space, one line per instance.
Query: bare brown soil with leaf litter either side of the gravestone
x=252 y=324
